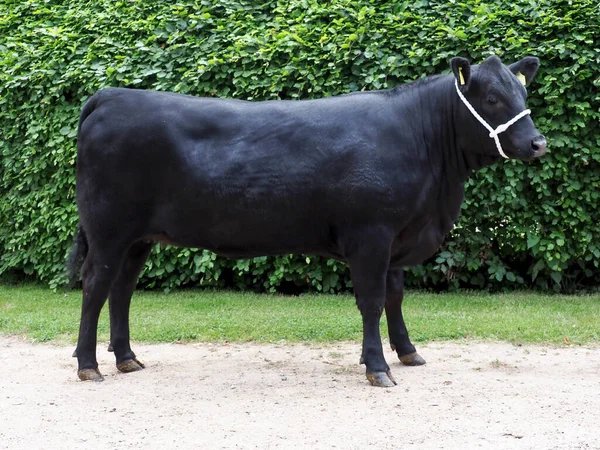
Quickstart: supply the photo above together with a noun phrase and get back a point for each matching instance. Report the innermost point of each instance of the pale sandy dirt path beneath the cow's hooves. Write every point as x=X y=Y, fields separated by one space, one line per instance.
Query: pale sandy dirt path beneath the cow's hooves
x=248 y=396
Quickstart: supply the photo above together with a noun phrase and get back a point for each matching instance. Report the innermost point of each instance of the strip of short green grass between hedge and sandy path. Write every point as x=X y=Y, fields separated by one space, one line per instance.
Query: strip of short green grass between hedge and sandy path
x=200 y=315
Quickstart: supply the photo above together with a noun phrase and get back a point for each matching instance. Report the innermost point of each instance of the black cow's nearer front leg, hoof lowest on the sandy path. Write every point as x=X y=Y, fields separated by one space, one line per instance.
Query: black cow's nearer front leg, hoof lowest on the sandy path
x=368 y=259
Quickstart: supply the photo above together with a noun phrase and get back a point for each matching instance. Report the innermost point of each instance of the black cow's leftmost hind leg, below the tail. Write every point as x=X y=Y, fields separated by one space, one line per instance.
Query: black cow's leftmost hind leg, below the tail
x=98 y=273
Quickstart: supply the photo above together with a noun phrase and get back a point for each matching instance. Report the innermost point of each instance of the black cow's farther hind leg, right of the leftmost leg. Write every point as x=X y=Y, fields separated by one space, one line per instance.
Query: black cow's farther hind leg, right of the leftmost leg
x=119 y=302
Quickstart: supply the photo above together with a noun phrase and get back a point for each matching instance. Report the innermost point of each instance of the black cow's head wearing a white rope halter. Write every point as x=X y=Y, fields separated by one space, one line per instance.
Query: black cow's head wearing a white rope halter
x=497 y=94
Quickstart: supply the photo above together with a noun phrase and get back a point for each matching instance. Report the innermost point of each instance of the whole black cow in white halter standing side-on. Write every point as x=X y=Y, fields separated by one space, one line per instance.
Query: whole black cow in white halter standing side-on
x=375 y=179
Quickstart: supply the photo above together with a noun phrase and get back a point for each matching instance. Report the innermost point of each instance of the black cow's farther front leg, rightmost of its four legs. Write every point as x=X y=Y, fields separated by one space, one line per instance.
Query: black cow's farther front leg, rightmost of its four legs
x=399 y=339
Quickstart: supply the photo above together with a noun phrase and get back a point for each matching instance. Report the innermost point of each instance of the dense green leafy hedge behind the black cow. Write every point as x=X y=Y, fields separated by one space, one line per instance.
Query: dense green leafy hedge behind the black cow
x=522 y=224
